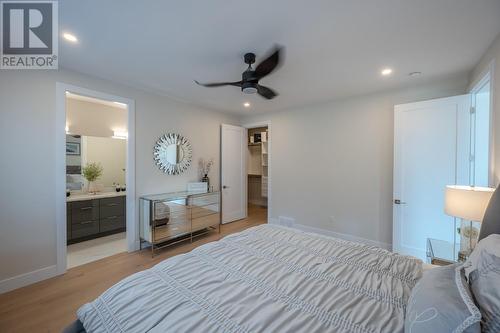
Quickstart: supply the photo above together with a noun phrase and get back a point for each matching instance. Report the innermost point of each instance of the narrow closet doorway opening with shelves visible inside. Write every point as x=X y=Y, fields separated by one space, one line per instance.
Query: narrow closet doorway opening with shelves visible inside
x=257 y=172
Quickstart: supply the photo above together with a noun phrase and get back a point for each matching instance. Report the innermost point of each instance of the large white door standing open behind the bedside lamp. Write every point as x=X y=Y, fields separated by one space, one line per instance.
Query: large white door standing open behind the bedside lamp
x=431 y=150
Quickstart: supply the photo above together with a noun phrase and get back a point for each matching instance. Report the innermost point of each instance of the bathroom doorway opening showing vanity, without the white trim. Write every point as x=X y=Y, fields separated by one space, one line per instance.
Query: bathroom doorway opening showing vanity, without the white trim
x=96 y=154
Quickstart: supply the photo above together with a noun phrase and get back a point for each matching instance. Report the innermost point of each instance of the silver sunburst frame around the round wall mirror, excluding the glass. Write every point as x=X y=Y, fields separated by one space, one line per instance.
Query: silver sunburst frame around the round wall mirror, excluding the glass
x=162 y=144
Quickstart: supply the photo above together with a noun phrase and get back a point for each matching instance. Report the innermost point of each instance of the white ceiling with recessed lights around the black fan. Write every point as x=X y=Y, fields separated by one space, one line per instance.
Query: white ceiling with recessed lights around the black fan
x=334 y=48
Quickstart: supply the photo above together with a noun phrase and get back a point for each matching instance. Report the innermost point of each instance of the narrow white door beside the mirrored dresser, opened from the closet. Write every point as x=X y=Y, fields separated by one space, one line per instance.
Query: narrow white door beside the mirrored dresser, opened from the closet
x=233 y=172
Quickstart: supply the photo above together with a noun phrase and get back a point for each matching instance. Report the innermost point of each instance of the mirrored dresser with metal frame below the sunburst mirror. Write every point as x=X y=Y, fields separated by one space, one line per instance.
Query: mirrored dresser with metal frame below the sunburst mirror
x=169 y=218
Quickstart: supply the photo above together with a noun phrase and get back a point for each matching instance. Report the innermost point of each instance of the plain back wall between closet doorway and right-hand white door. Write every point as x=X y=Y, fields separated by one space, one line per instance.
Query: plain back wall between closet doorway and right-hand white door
x=332 y=163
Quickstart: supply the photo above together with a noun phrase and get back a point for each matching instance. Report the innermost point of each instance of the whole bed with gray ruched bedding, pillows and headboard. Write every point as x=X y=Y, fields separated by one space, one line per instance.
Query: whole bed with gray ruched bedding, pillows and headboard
x=276 y=279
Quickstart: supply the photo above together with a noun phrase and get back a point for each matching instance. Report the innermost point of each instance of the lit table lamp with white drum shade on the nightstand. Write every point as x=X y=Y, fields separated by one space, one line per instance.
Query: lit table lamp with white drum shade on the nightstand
x=468 y=203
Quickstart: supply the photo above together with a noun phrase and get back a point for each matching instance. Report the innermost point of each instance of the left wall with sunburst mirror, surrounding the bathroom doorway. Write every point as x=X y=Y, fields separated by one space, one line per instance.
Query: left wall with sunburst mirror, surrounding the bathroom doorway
x=27 y=162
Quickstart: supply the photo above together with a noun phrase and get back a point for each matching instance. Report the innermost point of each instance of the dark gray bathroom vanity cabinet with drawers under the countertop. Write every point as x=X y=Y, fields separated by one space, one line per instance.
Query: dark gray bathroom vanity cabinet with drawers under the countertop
x=95 y=218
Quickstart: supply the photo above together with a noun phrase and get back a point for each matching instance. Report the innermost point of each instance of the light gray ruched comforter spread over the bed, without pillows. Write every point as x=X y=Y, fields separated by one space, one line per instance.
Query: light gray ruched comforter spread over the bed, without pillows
x=265 y=279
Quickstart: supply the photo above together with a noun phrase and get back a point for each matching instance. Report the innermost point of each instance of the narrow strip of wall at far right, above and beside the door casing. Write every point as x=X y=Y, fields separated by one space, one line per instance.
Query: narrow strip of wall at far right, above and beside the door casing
x=492 y=56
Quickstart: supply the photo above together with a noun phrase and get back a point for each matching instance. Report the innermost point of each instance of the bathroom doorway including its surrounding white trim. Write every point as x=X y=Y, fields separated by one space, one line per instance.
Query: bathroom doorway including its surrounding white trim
x=96 y=217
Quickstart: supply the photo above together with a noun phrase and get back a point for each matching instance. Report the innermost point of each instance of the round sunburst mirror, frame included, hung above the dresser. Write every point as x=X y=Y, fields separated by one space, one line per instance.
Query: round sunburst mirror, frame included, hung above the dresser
x=173 y=153
